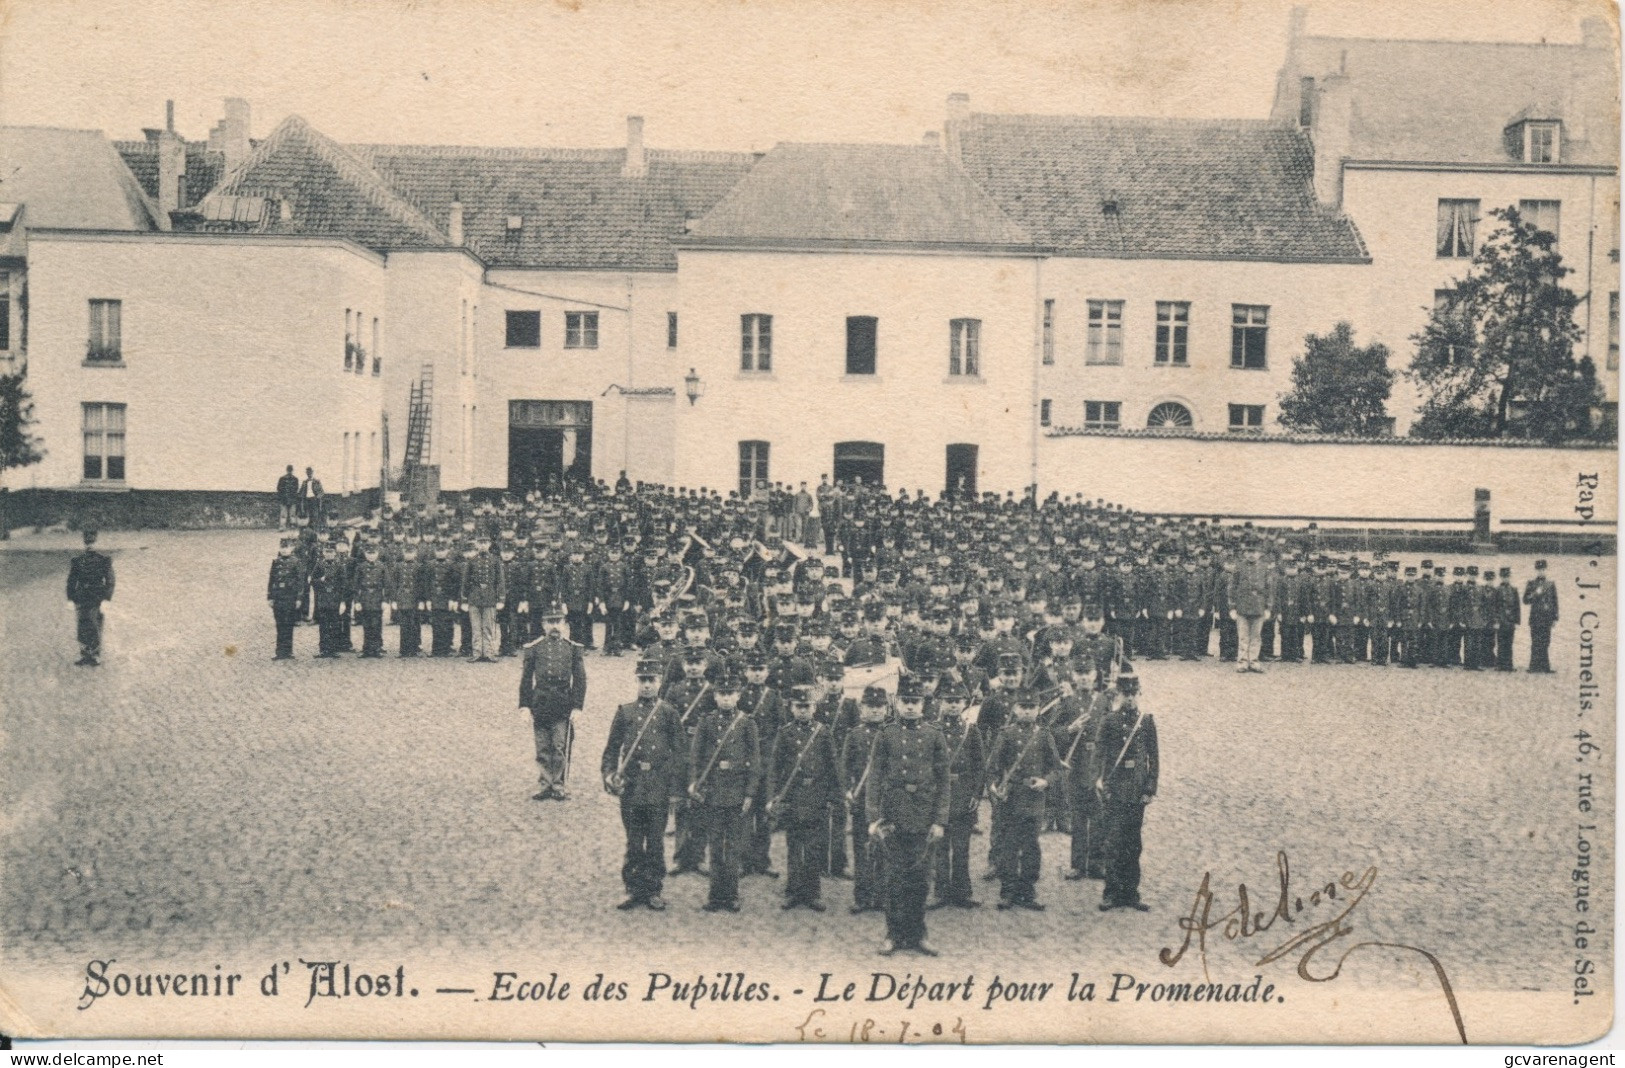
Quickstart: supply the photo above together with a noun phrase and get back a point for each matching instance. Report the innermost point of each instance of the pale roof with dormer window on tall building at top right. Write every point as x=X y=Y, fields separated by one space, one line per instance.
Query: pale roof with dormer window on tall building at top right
x=1450 y=102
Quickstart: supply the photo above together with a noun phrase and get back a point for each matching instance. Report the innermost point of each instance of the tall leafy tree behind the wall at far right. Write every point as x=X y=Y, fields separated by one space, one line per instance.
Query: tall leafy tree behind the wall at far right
x=1497 y=357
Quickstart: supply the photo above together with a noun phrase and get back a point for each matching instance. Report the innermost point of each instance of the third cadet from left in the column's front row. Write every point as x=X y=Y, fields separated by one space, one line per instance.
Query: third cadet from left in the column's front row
x=804 y=783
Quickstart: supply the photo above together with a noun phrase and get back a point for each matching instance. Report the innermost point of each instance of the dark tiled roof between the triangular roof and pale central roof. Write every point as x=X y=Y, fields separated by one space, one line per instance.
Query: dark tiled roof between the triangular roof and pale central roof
x=574 y=209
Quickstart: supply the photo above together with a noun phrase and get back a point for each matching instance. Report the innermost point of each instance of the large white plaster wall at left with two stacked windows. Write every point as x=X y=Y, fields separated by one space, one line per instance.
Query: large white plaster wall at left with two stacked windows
x=233 y=358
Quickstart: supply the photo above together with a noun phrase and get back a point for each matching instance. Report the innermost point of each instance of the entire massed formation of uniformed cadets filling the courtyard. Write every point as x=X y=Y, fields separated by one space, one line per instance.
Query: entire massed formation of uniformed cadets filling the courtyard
x=763 y=708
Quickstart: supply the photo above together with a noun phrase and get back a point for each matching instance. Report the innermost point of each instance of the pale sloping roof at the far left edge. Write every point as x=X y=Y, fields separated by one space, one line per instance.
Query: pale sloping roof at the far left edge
x=71 y=180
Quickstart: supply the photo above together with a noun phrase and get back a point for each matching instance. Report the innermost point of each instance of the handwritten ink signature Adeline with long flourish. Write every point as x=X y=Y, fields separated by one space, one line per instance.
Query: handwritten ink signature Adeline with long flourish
x=1242 y=924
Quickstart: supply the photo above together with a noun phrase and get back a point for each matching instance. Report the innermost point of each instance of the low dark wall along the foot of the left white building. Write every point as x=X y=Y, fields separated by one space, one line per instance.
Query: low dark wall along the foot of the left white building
x=155 y=510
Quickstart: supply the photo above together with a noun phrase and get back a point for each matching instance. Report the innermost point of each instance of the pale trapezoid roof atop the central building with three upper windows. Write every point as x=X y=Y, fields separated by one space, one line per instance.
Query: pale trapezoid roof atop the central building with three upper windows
x=859 y=194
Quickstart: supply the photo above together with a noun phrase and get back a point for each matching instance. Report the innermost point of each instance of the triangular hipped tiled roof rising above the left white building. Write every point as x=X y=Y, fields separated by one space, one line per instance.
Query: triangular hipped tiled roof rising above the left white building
x=316 y=186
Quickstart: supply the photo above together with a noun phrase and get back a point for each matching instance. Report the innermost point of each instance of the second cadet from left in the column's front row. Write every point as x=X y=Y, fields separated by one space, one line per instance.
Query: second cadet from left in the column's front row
x=724 y=766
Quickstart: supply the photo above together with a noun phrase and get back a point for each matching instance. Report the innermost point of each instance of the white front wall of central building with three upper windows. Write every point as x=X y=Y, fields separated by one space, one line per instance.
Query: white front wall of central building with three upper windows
x=807 y=404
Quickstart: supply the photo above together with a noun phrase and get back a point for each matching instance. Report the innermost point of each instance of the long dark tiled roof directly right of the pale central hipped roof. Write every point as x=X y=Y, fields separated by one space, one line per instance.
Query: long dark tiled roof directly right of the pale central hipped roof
x=1158 y=188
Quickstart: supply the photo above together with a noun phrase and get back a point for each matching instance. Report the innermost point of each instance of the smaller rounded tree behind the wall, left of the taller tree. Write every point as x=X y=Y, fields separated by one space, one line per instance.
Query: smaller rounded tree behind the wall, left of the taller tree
x=1340 y=388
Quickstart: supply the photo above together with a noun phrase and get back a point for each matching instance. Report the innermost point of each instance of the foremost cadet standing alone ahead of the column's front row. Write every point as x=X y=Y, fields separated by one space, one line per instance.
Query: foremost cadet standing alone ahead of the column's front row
x=909 y=796
